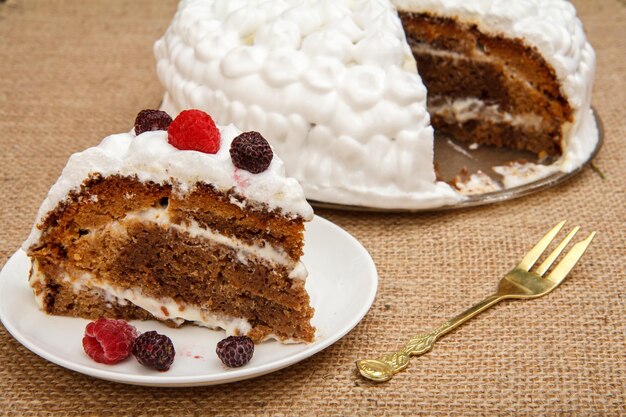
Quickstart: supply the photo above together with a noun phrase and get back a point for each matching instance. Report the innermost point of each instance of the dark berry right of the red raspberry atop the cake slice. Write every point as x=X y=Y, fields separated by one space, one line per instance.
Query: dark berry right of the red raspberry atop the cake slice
x=250 y=151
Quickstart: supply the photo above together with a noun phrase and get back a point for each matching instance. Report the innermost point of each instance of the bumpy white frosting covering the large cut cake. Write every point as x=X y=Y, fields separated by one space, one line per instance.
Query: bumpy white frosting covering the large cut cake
x=333 y=86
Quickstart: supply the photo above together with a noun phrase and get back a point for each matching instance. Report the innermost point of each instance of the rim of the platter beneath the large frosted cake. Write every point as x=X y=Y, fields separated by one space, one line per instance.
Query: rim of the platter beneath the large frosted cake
x=492 y=197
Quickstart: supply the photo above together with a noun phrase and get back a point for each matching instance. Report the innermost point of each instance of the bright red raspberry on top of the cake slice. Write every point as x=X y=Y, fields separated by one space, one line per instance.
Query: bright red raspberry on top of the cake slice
x=194 y=130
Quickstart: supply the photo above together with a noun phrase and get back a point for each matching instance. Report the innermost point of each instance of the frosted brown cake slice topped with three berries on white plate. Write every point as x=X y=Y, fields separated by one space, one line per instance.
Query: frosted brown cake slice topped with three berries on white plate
x=186 y=223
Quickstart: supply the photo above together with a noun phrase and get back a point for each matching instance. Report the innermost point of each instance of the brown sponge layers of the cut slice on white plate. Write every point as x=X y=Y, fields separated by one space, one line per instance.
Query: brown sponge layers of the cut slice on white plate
x=92 y=232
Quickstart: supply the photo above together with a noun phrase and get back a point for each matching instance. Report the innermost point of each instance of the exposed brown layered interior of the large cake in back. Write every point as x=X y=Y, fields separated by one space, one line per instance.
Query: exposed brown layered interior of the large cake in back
x=487 y=89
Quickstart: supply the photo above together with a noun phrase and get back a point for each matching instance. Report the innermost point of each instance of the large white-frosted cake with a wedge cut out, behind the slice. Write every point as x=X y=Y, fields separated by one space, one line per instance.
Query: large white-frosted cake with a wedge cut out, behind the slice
x=349 y=91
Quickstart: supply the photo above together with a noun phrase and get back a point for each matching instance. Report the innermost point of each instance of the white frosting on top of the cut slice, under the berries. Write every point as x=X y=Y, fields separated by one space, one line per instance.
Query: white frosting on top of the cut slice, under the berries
x=150 y=157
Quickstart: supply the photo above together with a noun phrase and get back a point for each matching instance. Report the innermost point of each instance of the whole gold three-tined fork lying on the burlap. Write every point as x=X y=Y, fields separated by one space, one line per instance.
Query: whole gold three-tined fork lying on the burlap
x=520 y=282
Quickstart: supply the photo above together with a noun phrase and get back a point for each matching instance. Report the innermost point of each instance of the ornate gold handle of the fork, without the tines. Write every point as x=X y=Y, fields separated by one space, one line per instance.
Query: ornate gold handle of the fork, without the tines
x=384 y=367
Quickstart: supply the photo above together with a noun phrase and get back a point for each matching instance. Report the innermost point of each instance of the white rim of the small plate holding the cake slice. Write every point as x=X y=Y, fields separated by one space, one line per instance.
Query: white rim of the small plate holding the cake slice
x=199 y=380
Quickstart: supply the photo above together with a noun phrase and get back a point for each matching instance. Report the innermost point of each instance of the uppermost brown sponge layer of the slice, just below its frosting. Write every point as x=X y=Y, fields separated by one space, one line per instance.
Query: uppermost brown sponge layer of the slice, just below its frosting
x=100 y=201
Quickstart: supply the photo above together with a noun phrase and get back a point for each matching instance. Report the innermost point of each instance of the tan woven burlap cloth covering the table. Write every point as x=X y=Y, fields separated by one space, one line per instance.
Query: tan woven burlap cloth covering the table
x=73 y=72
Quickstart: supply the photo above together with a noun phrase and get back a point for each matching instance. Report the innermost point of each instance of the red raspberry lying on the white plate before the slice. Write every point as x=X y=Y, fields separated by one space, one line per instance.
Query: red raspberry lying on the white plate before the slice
x=109 y=341
